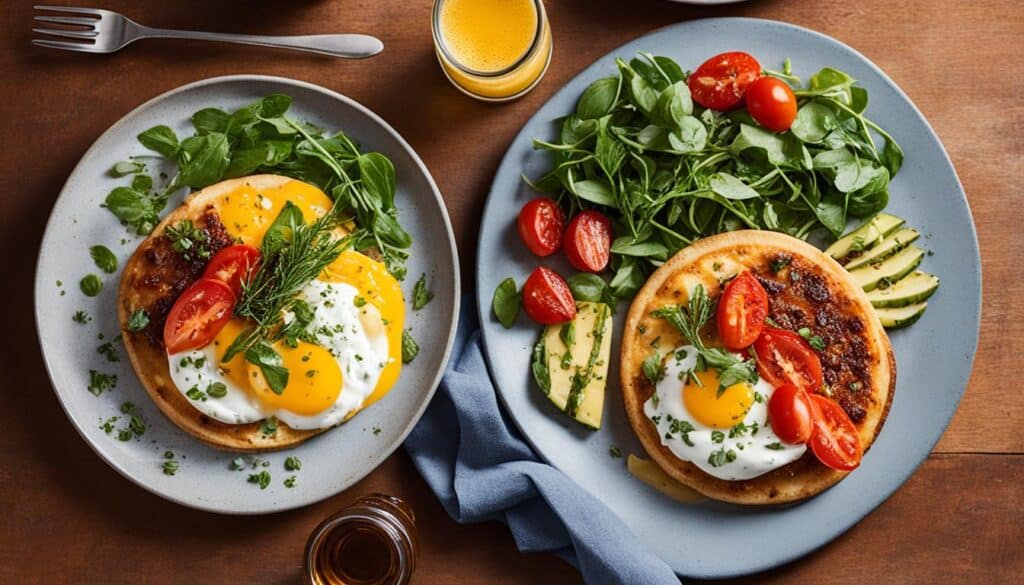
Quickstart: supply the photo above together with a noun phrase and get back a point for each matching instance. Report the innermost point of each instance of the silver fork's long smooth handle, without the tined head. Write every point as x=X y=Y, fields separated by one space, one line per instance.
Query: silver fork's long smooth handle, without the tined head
x=349 y=47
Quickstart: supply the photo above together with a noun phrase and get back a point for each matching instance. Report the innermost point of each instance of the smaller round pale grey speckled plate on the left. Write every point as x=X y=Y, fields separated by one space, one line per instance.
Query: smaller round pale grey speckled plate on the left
x=332 y=462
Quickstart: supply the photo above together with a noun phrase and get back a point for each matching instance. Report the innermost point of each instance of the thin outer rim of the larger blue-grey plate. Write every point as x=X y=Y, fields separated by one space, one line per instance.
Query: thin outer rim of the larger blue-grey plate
x=484 y=309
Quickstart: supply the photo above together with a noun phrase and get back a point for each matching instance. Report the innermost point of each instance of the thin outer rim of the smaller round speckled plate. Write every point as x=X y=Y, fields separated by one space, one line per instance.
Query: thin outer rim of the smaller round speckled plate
x=310 y=497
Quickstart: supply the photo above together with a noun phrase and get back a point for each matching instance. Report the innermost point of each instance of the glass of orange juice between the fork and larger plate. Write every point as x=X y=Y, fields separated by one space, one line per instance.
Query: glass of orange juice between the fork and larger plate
x=494 y=51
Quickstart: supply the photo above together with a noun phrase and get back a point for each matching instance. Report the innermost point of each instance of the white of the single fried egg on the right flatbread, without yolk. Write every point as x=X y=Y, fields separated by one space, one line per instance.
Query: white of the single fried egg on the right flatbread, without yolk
x=753 y=456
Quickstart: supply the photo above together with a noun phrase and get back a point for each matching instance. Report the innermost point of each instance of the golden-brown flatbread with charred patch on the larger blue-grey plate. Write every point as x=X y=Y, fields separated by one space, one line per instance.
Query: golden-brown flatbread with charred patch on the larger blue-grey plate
x=806 y=288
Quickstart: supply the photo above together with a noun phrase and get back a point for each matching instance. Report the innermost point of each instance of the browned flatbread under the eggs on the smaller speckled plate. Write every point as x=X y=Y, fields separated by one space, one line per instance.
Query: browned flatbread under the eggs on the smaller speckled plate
x=154 y=278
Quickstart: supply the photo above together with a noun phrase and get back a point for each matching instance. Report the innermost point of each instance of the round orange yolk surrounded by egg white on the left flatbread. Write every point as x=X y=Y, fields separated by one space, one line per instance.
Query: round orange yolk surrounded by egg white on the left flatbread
x=314 y=381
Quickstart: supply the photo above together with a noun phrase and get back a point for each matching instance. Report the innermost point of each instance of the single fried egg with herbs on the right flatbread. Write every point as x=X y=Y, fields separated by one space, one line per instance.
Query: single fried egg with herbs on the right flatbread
x=726 y=435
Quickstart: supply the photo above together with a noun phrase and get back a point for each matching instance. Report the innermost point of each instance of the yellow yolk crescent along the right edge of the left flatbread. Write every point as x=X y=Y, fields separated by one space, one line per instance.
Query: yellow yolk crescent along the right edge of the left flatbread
x=383 y=292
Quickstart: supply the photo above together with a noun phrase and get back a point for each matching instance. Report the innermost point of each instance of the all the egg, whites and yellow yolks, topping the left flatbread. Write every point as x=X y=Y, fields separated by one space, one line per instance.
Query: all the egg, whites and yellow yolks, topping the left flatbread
x=351 y=357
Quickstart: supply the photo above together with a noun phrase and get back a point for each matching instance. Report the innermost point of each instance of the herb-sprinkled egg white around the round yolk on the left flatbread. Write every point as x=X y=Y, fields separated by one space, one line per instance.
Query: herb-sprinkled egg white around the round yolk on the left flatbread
x=338 y=325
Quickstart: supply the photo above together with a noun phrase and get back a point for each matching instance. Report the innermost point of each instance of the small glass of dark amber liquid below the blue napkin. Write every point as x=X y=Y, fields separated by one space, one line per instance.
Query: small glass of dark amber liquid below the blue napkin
x=371 y=542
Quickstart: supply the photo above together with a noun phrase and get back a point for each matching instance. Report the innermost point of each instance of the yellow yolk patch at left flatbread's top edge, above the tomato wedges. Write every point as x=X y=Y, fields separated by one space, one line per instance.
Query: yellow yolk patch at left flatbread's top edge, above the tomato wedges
x=247 y=214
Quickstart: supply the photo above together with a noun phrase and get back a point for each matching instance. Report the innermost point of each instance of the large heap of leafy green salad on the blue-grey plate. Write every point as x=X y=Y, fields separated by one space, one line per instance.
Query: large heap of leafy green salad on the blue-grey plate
x=668 y=172
